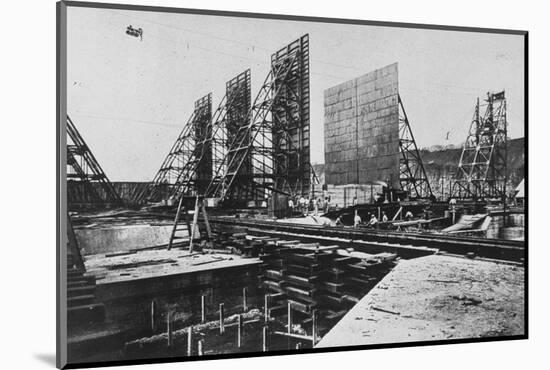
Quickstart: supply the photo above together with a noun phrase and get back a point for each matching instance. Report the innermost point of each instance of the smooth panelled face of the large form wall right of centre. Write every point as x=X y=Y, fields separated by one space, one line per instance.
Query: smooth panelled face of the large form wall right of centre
x=362 y=129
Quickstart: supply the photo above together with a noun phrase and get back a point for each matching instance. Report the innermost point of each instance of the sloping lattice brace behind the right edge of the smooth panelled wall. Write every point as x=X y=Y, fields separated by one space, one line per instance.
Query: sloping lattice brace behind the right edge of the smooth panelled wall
x=412 y=175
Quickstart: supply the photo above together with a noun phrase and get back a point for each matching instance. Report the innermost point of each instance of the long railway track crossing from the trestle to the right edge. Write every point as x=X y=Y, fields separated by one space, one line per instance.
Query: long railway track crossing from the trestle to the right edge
x=506 y=250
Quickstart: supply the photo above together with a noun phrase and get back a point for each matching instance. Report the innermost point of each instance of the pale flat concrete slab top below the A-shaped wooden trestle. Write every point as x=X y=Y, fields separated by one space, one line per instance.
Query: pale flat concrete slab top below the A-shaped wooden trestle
x=157 y=263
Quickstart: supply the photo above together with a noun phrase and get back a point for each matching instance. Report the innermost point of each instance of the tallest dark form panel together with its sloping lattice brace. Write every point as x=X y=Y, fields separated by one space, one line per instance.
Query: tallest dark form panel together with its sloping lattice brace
x=269 y=150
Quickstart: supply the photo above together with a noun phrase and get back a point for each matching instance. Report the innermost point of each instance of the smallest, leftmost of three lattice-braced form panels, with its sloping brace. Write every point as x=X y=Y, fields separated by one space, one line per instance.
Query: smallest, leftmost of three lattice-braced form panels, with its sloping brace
x=169 y=180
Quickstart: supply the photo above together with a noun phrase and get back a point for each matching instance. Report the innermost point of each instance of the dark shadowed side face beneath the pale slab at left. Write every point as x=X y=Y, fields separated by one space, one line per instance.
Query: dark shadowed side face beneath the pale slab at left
x=129 y=302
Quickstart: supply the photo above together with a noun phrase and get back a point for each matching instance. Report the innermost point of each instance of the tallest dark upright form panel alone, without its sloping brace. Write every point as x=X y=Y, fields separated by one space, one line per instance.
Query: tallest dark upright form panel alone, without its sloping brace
x=291 y=127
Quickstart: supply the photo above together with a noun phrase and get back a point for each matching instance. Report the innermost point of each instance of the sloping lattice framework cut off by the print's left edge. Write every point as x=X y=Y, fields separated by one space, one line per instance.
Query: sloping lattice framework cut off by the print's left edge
x=83 y=167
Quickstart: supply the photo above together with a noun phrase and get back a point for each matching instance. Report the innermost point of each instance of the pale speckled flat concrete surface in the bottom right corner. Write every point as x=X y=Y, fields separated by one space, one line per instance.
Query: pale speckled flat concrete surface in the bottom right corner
x=435 y=298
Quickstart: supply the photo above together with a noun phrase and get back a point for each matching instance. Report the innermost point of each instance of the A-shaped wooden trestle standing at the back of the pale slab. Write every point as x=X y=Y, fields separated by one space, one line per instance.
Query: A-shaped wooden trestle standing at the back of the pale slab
x=190 y=228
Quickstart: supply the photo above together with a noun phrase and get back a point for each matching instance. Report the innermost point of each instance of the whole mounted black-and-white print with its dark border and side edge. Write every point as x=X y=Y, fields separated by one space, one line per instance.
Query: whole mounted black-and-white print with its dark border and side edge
x=236 y=184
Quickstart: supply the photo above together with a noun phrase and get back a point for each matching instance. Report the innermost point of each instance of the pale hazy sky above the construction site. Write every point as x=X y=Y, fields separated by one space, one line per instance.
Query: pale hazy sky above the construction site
x=130 y=99
